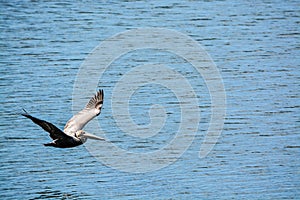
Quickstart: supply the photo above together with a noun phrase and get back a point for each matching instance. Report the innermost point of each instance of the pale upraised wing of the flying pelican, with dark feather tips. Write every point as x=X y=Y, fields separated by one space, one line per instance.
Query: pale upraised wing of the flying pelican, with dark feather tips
x=91 y=110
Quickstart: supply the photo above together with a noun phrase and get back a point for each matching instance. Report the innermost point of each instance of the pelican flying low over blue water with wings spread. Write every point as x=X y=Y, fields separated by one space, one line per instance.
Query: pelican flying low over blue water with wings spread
x=73 y=135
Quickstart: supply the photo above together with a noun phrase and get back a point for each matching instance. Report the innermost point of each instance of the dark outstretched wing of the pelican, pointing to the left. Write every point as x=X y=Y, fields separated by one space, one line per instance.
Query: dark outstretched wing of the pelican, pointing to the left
x=55 y=133
